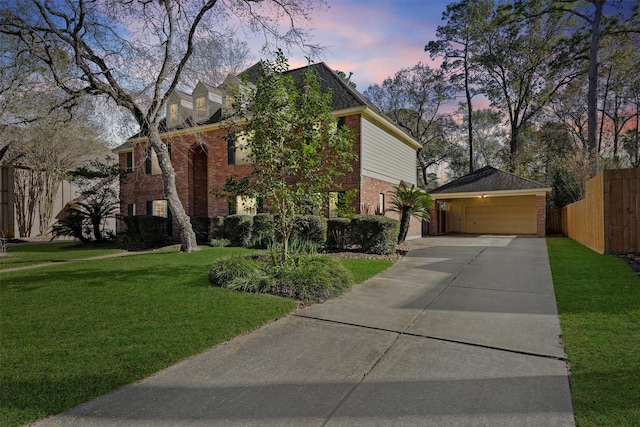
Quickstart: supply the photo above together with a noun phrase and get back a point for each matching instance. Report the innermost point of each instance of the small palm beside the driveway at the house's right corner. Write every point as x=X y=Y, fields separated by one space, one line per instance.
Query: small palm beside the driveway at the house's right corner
x=409 y=202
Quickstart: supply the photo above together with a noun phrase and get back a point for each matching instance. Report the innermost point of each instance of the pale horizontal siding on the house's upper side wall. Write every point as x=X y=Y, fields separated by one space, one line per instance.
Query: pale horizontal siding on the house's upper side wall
x=385 y=157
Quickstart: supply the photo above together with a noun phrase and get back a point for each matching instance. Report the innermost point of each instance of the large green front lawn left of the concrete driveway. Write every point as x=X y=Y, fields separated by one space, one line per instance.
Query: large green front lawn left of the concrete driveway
x=74 y=331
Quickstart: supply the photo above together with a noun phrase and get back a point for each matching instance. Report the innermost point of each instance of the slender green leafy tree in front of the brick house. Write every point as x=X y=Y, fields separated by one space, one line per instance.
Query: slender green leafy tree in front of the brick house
x=293 y=141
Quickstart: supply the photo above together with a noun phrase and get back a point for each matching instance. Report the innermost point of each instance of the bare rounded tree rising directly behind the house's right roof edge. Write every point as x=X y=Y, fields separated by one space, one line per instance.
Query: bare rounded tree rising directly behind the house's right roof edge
x=412 y=98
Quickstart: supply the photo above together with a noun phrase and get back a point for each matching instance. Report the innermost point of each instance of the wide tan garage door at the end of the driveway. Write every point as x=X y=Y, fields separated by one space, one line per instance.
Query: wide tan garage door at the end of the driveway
x=500 y=219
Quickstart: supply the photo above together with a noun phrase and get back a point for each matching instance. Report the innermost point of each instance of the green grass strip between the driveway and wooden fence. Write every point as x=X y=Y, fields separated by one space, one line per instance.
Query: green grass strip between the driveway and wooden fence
x=598 y=300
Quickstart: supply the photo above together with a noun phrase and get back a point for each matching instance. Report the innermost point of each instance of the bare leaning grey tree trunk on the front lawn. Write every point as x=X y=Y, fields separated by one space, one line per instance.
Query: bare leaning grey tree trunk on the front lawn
x=187 y=236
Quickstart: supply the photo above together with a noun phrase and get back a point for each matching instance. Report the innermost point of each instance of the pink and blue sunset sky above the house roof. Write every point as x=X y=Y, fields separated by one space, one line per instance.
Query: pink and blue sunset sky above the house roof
x=373 y=39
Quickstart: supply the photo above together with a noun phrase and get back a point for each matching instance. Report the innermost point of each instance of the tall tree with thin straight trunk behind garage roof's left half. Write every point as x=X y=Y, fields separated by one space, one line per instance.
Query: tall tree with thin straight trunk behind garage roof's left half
x=455 y=45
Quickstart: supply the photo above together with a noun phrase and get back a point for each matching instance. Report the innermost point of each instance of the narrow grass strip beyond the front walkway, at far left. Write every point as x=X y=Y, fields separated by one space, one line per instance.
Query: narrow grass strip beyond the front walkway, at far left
x=29 y=254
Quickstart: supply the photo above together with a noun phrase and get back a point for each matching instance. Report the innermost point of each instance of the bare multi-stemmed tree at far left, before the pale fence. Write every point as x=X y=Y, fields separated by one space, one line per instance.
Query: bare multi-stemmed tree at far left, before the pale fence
x=43 y=146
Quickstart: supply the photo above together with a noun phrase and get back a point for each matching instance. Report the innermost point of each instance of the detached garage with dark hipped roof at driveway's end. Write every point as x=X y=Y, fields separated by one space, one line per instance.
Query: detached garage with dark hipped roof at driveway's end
x=489 y=201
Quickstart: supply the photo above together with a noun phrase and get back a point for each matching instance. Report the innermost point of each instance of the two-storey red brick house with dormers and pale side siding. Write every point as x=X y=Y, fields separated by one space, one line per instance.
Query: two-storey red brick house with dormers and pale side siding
x=204 y=153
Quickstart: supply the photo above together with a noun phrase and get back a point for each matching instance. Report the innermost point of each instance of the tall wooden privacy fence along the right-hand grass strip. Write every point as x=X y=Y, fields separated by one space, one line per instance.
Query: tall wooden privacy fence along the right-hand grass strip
x=607 y=220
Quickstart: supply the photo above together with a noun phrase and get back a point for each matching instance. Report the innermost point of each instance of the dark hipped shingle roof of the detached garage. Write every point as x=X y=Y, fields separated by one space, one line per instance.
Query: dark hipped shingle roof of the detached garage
x=488 y=179
